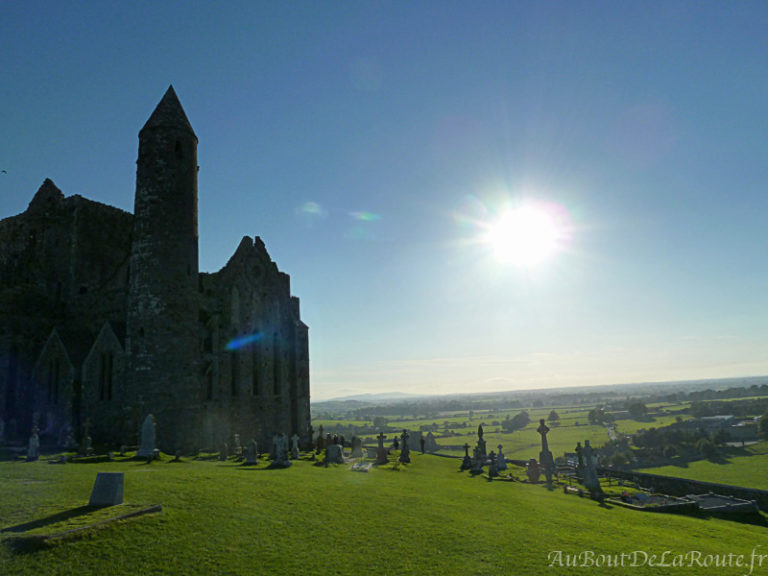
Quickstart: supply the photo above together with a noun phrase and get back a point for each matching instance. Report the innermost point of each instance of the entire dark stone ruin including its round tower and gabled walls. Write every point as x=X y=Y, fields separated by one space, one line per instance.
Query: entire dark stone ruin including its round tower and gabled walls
x=105 y=317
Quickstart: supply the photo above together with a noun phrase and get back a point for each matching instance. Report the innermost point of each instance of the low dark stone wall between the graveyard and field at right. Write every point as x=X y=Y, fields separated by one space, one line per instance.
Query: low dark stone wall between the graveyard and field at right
x=681 y=486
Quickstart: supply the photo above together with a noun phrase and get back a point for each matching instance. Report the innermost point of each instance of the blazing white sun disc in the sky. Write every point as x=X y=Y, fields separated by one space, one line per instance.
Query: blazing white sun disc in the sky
x=526 y=235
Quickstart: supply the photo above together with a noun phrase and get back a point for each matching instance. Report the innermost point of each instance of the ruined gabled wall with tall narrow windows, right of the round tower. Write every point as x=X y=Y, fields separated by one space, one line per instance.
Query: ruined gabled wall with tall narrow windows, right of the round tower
x=255 y=349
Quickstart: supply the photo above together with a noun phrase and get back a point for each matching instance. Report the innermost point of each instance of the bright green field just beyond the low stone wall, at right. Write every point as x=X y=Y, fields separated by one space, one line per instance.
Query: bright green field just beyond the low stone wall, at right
x=747 y=467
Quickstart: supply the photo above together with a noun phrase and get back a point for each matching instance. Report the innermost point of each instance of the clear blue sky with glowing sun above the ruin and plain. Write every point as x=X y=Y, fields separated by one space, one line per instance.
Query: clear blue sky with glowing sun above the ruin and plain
x=384 y=151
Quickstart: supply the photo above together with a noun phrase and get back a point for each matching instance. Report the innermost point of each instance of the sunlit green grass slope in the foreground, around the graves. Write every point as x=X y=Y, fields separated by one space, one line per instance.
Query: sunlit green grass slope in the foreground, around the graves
x=426 y=518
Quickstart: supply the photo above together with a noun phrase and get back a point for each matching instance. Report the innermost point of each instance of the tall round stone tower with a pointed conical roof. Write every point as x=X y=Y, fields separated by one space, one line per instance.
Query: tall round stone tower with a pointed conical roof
x=162 y=320
